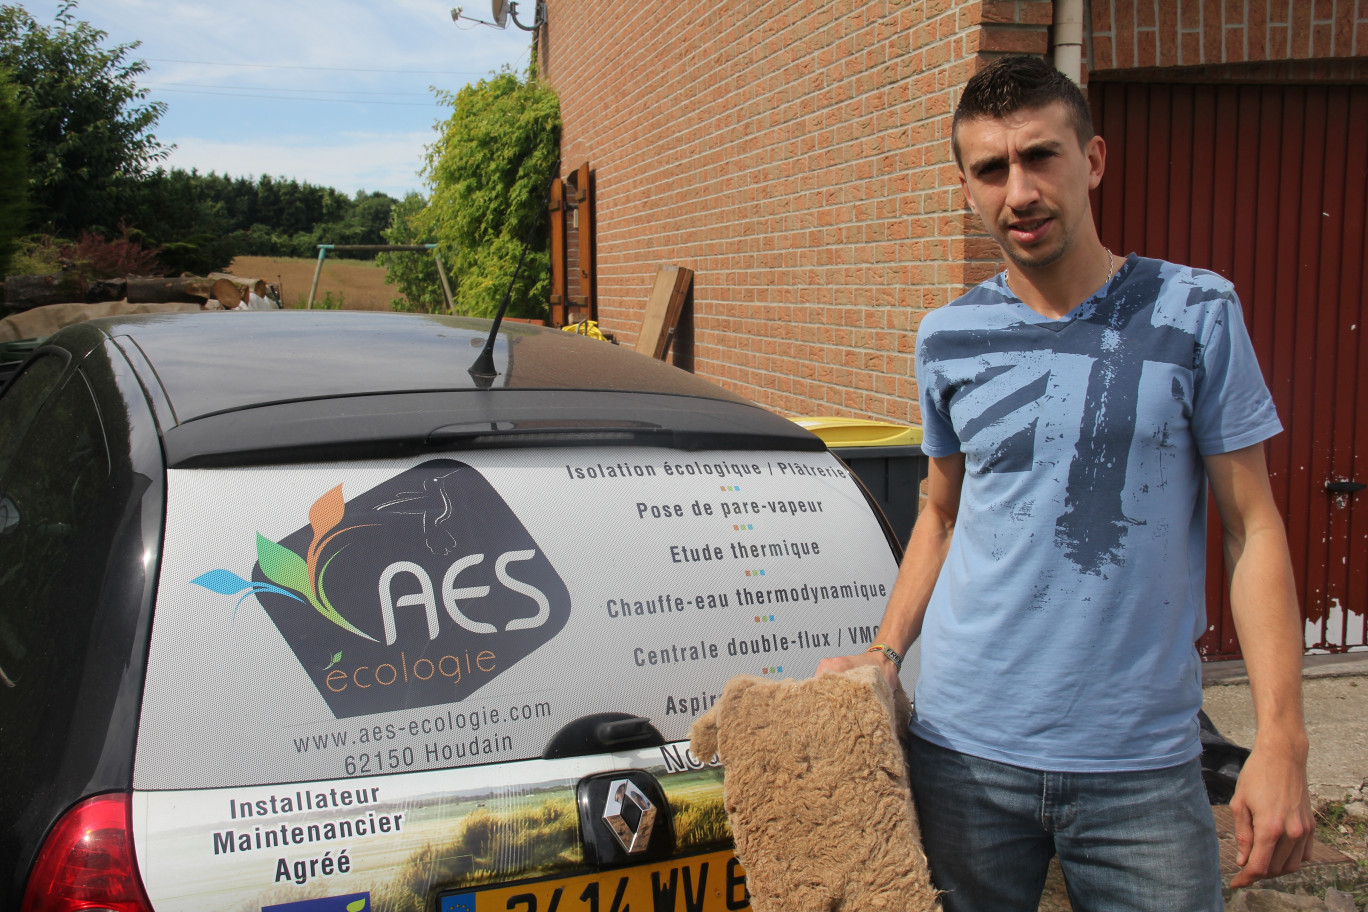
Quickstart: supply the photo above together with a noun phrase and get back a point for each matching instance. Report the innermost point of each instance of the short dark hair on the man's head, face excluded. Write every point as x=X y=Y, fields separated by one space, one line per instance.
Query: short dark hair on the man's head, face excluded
x=1009 y=85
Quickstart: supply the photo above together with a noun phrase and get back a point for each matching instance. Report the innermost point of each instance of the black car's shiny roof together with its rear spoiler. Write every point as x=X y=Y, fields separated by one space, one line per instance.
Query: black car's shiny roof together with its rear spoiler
x=235 y=389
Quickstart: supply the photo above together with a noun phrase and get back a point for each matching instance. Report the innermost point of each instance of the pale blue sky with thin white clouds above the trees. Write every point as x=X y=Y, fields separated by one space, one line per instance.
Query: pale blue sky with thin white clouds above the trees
x=334 y=94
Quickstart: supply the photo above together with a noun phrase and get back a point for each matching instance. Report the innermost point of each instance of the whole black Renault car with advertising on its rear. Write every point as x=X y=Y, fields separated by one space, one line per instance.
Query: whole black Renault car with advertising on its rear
x=298 y=615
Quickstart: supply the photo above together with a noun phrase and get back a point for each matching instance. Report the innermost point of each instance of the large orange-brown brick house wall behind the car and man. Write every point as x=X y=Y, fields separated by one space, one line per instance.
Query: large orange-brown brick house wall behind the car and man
x=795 y=155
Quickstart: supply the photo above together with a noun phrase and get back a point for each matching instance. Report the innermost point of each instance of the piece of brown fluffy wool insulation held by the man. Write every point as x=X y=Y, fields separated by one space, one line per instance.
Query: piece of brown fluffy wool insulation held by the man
x=817 y=792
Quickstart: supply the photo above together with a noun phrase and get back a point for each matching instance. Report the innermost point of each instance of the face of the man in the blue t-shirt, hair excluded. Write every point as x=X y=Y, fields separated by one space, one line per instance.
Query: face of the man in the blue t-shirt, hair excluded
x=1028 y=180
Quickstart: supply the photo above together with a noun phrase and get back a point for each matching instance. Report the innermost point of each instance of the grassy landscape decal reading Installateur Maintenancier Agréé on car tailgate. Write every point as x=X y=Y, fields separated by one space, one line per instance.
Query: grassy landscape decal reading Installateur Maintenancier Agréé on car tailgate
x=396 y=842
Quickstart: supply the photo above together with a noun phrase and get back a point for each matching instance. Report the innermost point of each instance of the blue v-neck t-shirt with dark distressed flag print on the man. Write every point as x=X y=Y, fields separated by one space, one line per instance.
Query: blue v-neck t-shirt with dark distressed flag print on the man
x=1061 y=634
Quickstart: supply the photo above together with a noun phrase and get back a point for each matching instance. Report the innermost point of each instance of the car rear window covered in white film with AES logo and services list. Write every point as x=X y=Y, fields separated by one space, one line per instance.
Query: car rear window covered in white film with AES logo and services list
x=332 y=620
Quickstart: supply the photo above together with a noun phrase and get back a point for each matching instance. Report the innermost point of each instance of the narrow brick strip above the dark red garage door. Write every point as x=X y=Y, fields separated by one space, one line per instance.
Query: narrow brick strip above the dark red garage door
x=1195 y=33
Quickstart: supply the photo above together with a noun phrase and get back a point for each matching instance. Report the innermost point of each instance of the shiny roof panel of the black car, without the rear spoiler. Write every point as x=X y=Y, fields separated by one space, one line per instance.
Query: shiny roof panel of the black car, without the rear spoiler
x=211 y=363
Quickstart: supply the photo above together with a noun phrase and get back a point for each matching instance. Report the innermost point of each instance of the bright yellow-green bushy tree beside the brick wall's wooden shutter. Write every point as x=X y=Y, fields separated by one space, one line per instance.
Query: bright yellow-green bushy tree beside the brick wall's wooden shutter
x=489 y=173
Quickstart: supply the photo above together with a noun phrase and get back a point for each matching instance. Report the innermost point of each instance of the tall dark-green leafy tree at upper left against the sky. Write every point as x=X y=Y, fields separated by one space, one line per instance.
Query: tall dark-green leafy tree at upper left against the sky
x=90 y=124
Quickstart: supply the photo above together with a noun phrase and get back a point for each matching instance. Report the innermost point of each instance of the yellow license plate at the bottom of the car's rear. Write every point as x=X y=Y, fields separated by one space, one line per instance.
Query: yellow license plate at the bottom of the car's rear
x=712 y=883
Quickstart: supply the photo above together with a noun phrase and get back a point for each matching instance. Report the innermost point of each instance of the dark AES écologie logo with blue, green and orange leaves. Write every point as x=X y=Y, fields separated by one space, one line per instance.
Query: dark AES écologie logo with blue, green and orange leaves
x=436 y=544
